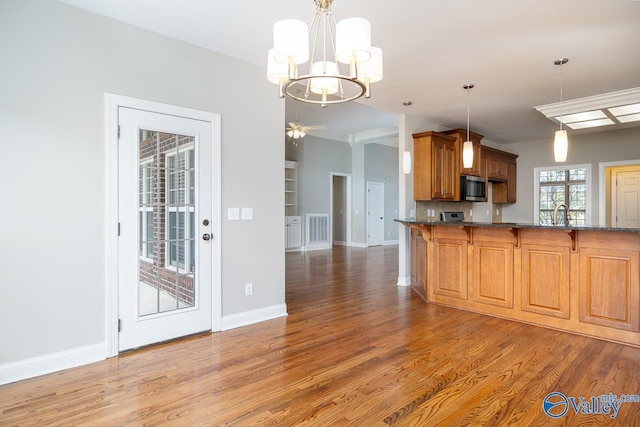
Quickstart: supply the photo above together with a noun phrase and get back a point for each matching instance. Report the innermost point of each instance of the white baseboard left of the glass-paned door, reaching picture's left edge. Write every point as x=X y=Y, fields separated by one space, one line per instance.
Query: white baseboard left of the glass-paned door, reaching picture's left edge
x=49 y=363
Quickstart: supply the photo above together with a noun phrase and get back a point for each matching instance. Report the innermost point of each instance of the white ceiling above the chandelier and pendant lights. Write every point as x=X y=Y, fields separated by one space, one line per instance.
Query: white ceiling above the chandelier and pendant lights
x=431 y=48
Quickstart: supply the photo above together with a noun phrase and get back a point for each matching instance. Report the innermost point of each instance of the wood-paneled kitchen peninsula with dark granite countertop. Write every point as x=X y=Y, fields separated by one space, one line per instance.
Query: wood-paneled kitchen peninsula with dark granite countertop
x=579 y=279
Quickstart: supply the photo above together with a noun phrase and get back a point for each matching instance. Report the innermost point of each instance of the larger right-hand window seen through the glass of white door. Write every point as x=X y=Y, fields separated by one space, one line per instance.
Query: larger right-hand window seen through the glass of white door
x=180 y=212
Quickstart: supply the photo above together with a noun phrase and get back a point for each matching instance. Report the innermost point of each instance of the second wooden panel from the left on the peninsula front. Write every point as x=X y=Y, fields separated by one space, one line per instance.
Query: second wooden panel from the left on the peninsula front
x=493 y=273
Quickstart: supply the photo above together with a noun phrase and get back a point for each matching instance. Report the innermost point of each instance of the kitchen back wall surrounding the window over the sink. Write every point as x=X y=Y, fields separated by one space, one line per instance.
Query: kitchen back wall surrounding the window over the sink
x=585 y=148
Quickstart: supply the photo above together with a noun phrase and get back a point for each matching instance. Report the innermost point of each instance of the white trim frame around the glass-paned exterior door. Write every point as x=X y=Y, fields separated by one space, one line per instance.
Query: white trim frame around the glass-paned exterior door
x=112 y=103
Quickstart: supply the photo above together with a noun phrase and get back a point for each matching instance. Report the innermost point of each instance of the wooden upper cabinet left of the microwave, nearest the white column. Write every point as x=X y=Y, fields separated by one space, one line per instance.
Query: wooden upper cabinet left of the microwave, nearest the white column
x=436 y=174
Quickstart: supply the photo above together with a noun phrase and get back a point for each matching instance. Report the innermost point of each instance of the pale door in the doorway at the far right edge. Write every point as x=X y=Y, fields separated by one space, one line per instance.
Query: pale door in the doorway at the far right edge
x=625 y=209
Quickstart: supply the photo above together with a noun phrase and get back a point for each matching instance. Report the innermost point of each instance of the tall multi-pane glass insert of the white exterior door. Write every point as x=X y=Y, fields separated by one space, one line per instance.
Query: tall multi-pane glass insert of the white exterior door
x=166 y=201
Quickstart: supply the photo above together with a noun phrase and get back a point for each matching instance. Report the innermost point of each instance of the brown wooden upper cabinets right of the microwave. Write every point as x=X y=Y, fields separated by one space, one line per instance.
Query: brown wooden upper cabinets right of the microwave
x=500 y=167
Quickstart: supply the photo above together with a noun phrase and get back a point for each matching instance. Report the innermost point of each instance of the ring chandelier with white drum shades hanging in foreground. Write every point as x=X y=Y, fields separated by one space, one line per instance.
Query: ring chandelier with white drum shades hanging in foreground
x=334 y=48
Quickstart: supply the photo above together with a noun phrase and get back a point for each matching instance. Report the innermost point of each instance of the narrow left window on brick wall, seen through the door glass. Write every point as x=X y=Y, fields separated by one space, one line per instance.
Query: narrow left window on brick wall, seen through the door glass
x=145 y=209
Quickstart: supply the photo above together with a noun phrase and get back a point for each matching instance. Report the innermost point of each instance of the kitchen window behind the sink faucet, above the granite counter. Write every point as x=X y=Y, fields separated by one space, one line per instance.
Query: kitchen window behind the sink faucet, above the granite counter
x=557 y=185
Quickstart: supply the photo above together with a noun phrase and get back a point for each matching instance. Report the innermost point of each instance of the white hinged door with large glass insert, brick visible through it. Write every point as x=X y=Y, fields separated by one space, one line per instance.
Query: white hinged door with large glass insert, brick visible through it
x=165 y=219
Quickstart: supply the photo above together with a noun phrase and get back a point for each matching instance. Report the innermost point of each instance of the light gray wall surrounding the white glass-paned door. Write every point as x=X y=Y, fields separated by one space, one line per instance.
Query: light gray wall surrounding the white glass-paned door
x=58 y=62
